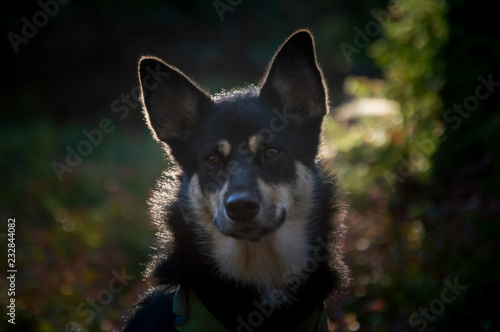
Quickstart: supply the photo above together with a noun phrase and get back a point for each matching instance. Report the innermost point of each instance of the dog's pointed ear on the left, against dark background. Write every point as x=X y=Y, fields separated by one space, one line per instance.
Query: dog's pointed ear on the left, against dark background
x=171 y=100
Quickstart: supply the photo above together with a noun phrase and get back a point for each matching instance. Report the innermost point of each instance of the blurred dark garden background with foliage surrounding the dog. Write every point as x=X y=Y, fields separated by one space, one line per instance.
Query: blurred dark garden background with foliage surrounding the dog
x=413 y=130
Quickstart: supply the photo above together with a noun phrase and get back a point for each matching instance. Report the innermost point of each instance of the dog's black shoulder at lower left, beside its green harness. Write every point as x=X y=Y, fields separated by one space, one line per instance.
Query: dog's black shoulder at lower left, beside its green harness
x=153 y=312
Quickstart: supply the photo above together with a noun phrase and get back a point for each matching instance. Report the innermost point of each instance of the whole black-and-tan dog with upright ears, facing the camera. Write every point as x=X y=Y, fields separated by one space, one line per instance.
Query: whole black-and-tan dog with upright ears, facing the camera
x=250 y=220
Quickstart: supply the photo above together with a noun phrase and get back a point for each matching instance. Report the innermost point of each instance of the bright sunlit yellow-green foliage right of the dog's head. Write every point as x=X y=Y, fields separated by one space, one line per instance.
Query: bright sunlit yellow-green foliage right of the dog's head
x=390 y=134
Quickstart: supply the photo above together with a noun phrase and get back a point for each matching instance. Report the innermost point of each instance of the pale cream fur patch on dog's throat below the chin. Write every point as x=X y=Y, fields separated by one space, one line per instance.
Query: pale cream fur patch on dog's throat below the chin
x=268 y=265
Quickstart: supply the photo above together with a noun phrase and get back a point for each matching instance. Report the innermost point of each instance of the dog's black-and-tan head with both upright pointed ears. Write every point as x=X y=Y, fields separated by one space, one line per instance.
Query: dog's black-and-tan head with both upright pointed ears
x=248 y=156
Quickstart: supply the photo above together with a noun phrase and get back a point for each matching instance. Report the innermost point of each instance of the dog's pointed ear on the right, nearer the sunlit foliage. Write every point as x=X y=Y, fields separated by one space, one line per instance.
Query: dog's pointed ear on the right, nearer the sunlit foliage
x=294 y=83
